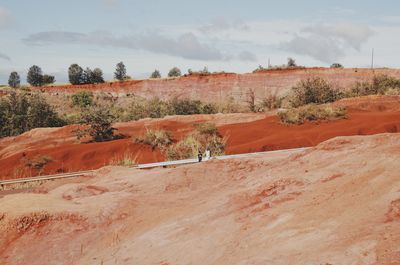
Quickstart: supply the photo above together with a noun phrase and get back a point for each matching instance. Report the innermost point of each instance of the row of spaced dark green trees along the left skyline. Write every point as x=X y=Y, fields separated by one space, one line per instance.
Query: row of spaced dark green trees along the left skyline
x=79 y=76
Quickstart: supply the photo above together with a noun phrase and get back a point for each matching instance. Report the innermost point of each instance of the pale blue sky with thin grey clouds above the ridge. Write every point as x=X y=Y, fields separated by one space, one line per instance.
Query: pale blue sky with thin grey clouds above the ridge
x=231 y=36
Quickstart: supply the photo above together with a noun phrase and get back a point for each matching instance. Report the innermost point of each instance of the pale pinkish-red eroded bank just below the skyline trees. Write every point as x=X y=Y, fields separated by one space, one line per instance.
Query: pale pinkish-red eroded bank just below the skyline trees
x=219 y=87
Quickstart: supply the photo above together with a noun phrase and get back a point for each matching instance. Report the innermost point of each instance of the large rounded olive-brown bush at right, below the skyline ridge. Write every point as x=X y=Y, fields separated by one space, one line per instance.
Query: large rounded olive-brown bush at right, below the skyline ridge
x=312 y=90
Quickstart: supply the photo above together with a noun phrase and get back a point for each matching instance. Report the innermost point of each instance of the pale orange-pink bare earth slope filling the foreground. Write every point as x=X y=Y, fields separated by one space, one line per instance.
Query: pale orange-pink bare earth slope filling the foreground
x=338 y=203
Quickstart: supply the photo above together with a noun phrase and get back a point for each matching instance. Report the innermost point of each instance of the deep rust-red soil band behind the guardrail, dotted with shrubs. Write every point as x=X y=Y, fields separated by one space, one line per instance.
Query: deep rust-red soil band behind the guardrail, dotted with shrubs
x=245 y=133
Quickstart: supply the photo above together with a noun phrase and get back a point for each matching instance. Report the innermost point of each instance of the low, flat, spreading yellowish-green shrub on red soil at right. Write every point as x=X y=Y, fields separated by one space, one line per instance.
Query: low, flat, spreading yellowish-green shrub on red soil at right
x=311 y=113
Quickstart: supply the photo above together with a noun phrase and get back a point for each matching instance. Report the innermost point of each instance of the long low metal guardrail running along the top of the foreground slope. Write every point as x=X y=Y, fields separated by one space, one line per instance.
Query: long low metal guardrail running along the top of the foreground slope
x=144 y=166
